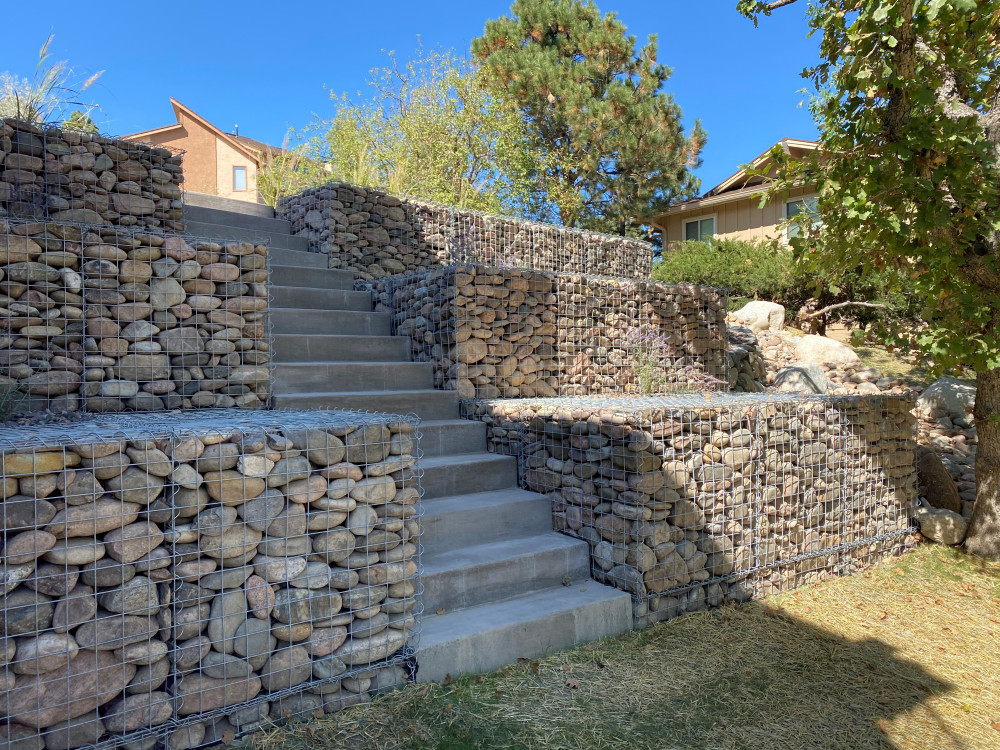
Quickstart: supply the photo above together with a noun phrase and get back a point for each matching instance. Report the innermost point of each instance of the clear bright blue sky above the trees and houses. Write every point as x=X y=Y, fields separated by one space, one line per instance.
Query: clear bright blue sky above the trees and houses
x=264 y=66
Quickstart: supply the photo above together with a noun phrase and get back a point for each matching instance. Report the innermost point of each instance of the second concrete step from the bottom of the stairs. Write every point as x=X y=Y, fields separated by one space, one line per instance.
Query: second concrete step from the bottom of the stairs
x=468 y=576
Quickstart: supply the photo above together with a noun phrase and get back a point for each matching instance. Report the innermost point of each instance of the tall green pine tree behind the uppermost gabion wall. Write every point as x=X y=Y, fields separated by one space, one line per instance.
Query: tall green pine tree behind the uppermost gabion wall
x=612 y=148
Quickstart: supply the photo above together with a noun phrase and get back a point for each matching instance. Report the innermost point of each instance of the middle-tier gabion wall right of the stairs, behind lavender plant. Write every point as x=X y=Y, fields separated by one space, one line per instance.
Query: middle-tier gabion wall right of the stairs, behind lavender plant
x=511 y=333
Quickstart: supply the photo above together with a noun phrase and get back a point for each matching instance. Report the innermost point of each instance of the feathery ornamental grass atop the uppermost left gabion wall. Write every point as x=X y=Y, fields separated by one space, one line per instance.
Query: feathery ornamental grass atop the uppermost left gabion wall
x=46 y=96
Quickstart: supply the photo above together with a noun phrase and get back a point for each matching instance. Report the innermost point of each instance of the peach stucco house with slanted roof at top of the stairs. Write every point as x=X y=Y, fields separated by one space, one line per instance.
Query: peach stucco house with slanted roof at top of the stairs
x=215 y=162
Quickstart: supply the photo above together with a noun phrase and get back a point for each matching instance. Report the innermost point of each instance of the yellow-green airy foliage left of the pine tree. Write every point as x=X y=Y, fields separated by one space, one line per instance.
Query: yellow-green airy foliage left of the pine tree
x=431 y=129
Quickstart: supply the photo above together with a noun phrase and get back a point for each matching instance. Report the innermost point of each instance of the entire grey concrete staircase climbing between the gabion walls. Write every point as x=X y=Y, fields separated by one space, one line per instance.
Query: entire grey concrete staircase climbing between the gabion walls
x=498 y=583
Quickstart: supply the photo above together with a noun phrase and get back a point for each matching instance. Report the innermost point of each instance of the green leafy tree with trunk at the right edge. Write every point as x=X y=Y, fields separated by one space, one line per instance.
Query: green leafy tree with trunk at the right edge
x=909 y=179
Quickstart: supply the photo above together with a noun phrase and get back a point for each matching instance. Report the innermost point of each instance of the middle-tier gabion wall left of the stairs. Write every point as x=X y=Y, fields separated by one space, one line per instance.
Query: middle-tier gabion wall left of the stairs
x=112 y=319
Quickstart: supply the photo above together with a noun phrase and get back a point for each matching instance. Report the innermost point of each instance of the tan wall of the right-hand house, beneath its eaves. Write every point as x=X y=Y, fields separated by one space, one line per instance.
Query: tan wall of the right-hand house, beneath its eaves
x=742 y=219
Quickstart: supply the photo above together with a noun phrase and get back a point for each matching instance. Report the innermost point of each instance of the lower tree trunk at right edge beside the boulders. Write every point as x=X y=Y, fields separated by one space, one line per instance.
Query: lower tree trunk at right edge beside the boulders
x=983 y=538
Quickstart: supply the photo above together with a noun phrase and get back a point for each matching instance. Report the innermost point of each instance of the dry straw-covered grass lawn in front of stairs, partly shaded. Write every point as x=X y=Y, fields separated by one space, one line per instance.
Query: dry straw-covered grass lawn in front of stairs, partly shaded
x=905 y=656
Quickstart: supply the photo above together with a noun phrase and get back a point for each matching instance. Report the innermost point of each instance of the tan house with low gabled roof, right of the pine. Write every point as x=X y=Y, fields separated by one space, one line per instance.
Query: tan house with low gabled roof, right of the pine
x=732 y=210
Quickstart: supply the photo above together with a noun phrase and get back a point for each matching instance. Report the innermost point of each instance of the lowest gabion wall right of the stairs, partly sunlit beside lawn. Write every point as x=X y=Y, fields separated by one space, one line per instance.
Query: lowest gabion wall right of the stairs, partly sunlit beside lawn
x=688 y=501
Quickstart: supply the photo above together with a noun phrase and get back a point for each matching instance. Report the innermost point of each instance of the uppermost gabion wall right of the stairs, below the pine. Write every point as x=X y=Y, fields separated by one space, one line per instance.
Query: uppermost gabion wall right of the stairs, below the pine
x=377 y=235
